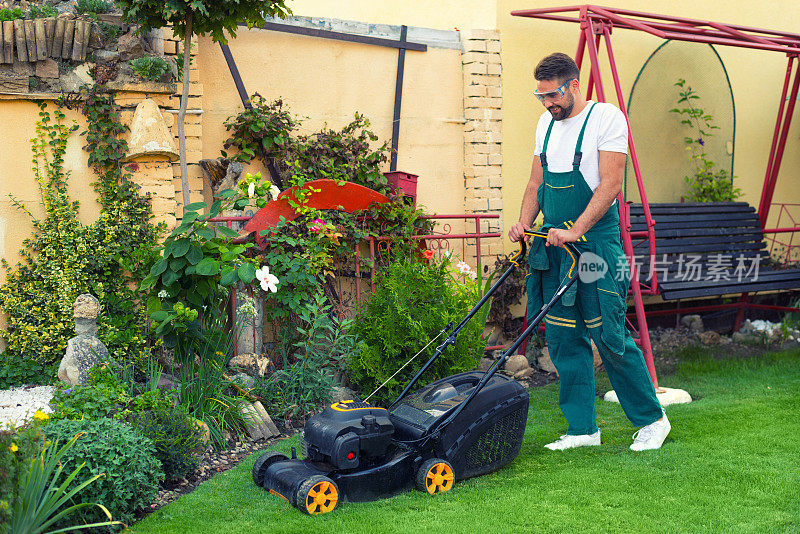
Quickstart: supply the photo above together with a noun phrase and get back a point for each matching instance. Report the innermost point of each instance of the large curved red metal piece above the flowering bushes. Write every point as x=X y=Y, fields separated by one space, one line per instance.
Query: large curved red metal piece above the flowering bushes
x=323 y=195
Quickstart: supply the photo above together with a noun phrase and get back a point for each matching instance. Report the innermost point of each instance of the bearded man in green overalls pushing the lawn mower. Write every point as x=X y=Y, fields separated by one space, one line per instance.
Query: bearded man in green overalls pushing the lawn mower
x=577 y=172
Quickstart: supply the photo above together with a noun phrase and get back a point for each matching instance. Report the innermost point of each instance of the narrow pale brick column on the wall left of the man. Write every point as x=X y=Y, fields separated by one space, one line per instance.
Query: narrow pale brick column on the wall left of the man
x=483 y=160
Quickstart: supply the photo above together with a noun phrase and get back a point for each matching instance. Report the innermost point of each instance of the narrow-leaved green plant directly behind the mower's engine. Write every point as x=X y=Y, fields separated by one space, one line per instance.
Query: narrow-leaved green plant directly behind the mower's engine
x=322 y=344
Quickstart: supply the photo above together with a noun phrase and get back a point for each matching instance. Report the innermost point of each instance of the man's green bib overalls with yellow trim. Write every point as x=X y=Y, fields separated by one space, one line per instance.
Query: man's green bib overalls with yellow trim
x=595 y=306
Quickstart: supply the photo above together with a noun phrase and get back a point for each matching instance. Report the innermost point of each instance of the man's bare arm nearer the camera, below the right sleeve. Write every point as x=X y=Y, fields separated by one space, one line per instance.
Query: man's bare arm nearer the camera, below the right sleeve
x=612 y=170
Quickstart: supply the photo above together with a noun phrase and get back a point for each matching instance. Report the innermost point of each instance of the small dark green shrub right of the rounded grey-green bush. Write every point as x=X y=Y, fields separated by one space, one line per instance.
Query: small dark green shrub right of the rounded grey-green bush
x=175 y=436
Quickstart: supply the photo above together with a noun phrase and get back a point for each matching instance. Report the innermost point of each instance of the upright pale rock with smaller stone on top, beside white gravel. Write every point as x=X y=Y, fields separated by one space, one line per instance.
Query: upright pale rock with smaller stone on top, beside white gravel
x=84 y=350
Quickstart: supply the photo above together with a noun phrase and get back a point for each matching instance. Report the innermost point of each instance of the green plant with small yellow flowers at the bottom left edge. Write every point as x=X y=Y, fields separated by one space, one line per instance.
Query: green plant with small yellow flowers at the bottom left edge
x=17 y=447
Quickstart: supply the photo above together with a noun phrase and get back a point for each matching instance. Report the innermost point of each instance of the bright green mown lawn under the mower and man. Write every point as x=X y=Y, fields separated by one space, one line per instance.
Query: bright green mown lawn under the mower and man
x=731 y=464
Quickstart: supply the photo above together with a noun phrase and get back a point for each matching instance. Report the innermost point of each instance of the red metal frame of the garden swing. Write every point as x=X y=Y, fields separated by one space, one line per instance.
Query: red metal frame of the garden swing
x=596 y=25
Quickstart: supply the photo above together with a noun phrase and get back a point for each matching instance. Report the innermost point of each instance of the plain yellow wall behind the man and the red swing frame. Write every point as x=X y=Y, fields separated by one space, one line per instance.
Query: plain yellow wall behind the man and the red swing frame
x=756 y=78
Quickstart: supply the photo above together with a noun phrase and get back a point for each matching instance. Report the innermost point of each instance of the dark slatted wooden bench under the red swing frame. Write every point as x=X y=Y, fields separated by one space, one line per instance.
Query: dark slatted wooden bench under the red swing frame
x=708 y=249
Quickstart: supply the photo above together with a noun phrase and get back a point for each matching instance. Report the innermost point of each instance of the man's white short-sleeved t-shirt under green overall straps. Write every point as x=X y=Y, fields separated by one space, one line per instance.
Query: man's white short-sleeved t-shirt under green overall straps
x=606 y=130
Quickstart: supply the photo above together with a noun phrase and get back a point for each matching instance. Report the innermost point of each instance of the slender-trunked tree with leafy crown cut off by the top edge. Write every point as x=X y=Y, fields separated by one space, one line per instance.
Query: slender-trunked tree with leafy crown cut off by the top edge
x=201 y=17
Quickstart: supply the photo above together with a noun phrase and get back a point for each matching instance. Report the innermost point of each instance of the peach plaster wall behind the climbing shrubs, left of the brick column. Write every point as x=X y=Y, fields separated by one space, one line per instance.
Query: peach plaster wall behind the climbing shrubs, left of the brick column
x=326 y=82
